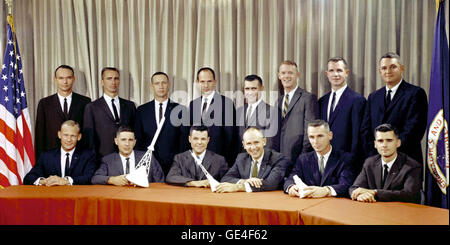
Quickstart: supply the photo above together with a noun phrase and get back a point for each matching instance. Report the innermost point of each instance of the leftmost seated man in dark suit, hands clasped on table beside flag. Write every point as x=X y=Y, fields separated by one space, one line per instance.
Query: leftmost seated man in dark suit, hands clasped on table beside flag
x=65 y=165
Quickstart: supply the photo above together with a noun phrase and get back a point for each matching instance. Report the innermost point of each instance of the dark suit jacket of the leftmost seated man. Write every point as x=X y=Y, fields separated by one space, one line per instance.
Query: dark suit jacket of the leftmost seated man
x=82 y=166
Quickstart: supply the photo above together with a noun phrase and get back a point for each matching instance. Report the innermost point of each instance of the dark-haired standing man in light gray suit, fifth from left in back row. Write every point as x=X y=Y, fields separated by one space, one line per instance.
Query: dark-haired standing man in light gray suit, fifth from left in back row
x=257 y=113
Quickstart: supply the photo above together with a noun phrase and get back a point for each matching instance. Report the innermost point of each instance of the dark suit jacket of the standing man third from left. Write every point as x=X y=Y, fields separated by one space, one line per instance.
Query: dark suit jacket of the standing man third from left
x=171 y=140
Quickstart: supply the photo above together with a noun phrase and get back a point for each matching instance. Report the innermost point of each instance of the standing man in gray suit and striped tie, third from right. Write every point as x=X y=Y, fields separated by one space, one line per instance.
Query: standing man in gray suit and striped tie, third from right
x=297 y=107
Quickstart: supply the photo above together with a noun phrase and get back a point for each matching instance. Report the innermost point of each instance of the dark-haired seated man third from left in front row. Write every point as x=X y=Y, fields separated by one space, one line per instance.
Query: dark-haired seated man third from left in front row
x=185 y=171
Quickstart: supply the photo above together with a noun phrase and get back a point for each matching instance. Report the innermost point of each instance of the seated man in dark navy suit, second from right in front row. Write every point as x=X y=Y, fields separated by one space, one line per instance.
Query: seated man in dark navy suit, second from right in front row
x=326 y=171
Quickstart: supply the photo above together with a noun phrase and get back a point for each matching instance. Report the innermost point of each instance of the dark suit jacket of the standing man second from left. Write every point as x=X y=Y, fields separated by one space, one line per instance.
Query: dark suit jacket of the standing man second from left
x=100 y=128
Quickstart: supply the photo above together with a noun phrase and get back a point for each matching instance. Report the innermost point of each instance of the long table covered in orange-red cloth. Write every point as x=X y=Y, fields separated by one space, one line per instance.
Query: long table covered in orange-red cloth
x=163 y=204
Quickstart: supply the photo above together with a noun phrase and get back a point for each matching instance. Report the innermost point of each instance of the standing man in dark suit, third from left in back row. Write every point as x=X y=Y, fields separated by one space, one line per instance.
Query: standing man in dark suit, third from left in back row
x=148 y=116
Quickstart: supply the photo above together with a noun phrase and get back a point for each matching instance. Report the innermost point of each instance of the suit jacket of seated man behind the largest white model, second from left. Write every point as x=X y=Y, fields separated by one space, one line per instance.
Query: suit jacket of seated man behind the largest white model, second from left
x=112 y=166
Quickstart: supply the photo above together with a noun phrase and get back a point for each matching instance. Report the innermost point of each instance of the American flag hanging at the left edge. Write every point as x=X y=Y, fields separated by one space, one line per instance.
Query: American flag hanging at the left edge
x=16 y=145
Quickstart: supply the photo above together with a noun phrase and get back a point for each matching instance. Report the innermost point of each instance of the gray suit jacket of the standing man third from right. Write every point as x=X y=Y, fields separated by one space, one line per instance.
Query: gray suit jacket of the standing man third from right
x=303 y=107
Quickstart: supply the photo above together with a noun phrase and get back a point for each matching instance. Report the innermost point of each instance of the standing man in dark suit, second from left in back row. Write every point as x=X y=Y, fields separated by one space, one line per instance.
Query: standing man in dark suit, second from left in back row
x=103 y=116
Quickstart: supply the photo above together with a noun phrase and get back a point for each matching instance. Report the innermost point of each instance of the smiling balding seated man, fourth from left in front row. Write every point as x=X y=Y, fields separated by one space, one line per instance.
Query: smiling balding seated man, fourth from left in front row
x=258 y=169
